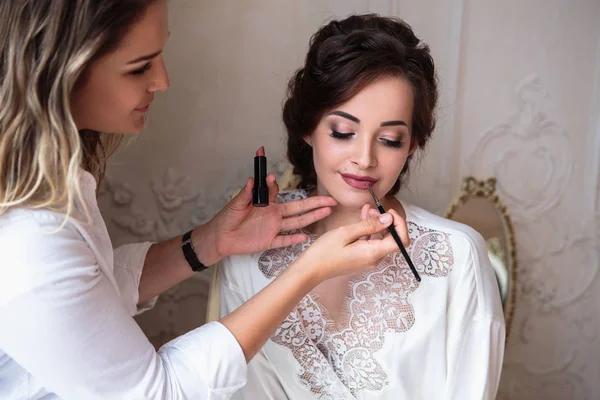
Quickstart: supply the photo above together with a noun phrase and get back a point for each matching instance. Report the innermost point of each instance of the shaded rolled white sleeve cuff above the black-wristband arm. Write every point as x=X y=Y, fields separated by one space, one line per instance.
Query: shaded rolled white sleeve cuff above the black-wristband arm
x=129 y=262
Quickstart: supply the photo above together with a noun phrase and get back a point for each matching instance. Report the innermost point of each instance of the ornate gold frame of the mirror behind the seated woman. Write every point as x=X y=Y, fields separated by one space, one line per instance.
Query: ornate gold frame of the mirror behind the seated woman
x=486 y=189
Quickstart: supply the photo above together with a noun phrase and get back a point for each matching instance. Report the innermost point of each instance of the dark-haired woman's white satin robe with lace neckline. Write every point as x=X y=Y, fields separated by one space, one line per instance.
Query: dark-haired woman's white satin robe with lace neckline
x=394 y=337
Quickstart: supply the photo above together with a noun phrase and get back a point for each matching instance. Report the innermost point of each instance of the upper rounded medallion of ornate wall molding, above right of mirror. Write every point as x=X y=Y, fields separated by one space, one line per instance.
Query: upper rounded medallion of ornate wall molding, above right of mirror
x=528 y=140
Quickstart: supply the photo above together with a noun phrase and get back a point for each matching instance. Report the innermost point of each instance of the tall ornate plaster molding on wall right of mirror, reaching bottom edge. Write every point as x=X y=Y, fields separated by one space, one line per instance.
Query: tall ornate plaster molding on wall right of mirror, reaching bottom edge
x=532 y=157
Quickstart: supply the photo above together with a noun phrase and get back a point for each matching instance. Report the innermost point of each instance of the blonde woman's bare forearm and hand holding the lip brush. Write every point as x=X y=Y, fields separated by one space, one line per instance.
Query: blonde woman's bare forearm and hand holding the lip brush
x=337 y=252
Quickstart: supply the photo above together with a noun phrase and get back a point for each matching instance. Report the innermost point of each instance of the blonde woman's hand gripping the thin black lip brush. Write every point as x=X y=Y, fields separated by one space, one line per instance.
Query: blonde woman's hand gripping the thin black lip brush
x=353 y=248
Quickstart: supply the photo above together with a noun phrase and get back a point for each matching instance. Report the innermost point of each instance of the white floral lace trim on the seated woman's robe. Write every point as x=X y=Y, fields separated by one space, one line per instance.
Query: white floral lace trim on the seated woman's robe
x=337 y=359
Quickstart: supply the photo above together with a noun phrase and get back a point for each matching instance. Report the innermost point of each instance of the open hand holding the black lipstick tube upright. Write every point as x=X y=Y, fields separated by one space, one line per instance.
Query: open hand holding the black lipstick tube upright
x=241 y=228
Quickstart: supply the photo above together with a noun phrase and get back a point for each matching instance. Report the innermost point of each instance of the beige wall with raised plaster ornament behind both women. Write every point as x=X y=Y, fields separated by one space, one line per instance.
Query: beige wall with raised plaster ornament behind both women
x=520 y=100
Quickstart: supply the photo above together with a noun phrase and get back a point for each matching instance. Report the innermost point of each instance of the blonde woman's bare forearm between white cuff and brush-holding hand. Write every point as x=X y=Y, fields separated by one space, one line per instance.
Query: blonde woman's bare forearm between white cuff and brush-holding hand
x=255 y=321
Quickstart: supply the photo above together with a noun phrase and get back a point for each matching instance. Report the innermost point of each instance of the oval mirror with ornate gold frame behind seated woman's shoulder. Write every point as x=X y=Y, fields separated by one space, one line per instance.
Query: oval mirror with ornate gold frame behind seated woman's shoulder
x=479 y=206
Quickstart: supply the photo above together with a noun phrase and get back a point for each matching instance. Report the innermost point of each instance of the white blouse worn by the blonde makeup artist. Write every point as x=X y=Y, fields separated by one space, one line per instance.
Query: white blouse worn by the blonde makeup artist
x=66 y=326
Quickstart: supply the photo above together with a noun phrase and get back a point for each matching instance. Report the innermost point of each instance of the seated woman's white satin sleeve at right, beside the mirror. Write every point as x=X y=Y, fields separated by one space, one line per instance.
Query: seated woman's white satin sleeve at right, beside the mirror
x=476 y=335
